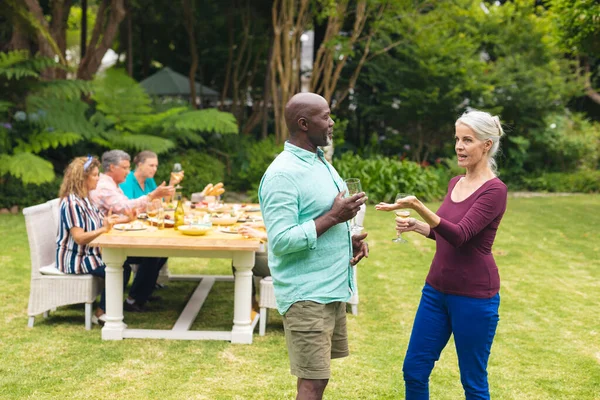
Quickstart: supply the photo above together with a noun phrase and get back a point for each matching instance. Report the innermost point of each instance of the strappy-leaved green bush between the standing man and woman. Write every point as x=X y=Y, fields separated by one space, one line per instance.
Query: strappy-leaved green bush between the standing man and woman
x=382 y=178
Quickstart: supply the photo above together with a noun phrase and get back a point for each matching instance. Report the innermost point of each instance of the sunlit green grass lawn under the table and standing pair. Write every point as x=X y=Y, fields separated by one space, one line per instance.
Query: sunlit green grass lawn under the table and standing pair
x=547 y=345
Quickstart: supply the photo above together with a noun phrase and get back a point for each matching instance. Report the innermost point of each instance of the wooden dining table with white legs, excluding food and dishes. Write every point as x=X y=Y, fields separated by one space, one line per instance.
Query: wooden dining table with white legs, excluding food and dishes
x=152 y=242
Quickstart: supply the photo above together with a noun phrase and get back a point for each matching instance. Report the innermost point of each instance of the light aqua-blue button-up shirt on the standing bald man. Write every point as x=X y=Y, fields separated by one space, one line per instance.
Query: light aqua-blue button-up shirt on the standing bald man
x=298 y=187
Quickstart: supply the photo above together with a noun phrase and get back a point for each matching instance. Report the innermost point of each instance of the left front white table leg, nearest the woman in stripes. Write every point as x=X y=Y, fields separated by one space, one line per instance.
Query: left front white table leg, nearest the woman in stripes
x=114 y=326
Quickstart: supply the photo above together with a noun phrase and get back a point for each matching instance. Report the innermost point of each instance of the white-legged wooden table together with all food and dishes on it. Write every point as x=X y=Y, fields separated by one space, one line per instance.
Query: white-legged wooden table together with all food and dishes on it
x=205 y=227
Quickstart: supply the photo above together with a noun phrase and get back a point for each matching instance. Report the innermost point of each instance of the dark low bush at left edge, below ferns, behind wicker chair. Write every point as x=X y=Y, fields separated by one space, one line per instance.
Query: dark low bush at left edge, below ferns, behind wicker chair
x=14 y=193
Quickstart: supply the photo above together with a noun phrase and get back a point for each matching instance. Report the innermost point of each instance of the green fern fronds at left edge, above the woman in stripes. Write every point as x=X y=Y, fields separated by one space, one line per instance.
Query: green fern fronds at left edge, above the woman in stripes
x=30 y=115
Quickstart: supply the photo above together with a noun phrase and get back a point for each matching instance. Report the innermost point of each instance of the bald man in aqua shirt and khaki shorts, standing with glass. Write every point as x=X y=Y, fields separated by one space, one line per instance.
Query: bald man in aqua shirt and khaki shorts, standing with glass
x=311 y=251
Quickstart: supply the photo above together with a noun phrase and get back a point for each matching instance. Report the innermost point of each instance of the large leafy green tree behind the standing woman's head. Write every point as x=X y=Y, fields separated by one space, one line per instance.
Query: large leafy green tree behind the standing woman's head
x=501 y=59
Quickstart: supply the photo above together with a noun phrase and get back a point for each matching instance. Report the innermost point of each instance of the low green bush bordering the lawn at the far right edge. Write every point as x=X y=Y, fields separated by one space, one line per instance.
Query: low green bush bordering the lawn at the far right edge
x=584 y=181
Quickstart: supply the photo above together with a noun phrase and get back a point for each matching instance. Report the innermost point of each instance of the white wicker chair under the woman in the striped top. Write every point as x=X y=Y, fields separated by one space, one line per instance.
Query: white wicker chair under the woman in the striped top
x=50 y=291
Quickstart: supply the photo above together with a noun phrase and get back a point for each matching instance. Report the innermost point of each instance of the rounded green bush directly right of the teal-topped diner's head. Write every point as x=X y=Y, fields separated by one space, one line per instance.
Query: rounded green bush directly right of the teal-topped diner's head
x=200 y=169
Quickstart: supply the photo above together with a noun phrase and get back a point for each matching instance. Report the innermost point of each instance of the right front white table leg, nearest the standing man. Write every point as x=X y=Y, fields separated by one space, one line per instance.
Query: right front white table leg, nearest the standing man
x=243 y=263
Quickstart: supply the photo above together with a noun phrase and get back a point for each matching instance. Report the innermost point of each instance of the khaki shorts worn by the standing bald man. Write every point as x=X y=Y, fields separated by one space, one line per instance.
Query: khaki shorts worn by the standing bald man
x=315 y=333
